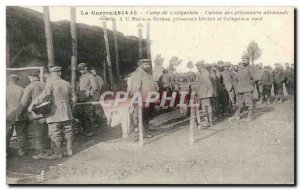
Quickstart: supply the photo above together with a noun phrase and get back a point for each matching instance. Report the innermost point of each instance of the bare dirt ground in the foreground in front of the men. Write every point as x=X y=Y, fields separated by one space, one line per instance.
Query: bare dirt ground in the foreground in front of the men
x=231 y=152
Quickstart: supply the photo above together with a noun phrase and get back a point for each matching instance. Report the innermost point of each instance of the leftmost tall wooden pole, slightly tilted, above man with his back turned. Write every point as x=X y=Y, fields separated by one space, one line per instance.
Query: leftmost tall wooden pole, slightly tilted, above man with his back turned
x=48 y=34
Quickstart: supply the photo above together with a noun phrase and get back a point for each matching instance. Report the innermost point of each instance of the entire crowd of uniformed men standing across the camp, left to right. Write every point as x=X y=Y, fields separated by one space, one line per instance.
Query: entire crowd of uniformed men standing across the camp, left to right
x=220 y=88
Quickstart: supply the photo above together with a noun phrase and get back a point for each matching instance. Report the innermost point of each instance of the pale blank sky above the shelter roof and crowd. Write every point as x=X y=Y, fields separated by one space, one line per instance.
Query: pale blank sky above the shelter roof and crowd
x=202 y=40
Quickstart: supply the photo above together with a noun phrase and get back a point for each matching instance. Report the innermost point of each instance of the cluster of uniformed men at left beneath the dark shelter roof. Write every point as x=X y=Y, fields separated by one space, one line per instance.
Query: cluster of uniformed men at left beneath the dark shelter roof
x=58 y=122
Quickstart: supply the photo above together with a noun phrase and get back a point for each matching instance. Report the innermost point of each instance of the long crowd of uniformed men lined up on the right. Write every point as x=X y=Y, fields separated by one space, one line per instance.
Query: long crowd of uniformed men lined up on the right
x=222 y=88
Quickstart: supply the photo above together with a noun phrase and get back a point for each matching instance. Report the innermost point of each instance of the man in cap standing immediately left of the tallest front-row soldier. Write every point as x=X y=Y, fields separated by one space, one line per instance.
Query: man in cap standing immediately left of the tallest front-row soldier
x=228 y=80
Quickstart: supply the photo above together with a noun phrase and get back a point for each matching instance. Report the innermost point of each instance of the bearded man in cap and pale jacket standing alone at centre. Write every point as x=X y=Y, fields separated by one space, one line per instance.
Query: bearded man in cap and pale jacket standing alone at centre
x=143 y=82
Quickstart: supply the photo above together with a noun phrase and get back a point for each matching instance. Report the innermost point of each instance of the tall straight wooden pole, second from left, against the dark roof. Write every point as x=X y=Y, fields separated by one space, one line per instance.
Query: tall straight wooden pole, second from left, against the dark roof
x=74 y=47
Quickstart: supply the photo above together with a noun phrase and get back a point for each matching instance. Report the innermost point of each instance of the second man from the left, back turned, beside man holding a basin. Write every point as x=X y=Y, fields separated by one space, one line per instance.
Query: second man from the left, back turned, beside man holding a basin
x=38 y=122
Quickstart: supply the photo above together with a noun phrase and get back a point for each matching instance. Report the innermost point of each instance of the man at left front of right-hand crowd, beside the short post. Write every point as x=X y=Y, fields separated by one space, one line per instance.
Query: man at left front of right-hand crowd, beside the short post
x=204 y=93
